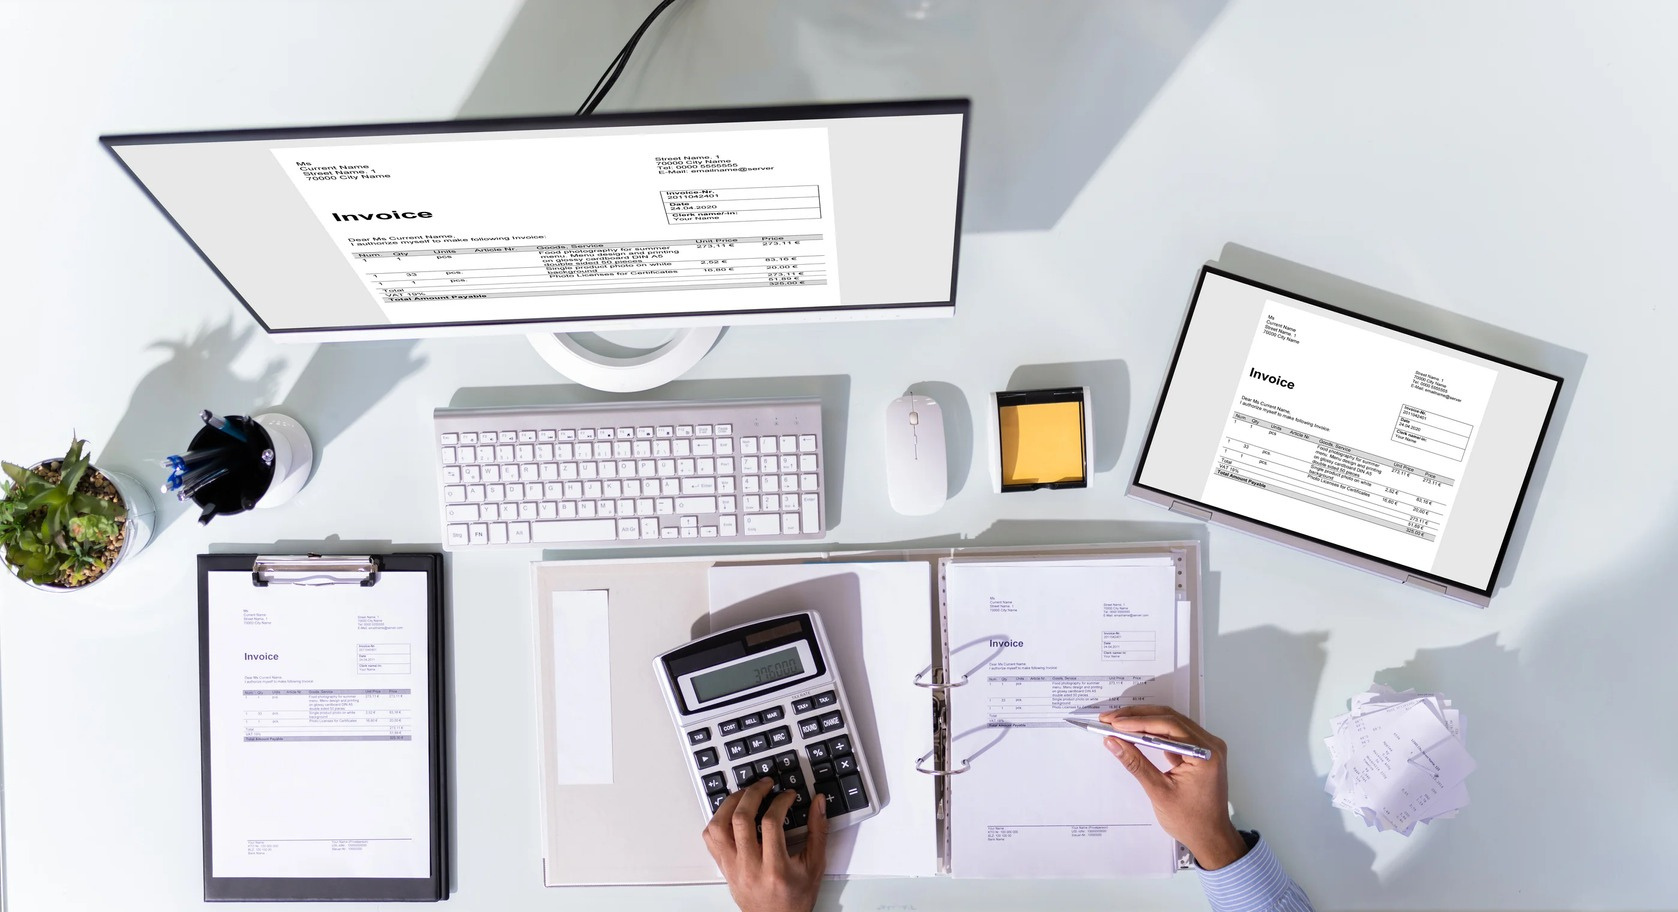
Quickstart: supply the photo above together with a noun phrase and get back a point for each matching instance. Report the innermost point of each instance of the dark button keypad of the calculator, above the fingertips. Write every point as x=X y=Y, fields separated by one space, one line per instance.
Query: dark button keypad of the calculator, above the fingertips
x=820 y=733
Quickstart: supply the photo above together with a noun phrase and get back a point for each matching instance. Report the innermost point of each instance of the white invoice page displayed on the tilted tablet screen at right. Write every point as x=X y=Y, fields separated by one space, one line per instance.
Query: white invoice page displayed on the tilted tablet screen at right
x=1347 y=435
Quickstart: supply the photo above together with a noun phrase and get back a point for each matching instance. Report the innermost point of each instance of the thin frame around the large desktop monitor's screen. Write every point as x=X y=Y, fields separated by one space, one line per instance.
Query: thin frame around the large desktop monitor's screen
x=590 y=122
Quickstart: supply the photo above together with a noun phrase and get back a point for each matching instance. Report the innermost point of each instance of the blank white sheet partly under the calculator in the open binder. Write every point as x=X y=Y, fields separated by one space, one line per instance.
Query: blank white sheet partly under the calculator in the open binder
x=878 y=621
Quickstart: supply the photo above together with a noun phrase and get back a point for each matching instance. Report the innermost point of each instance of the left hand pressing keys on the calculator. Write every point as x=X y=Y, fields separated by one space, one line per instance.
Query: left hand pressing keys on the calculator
x=763 y=876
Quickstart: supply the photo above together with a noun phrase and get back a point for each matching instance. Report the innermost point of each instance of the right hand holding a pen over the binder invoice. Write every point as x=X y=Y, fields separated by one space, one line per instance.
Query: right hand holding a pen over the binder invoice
x=1192 y=797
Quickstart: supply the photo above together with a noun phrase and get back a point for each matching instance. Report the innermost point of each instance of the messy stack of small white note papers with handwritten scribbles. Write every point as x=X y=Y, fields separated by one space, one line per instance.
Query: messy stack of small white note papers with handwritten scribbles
x=1399 y=760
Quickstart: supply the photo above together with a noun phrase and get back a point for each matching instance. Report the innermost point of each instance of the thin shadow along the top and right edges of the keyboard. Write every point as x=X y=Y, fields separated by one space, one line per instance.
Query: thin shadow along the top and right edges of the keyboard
x=835 y=391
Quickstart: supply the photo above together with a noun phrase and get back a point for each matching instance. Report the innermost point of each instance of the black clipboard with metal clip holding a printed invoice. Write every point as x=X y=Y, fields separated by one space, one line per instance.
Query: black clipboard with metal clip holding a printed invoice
x=300 y=730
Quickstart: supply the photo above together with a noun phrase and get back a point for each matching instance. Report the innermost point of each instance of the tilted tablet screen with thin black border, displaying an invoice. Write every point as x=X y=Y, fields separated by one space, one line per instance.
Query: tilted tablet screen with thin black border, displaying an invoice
x=1345 y=432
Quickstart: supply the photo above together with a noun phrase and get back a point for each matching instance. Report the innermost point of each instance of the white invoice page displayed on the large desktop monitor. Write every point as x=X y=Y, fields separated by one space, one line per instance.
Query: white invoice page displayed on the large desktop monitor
x=498 y=229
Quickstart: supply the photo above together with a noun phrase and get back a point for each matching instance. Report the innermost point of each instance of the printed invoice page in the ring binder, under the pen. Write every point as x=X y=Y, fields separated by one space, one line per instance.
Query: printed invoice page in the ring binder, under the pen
x=1040 y=643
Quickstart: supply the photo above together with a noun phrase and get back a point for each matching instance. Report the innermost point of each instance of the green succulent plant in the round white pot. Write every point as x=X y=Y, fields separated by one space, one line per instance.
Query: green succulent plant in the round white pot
x=56 y=526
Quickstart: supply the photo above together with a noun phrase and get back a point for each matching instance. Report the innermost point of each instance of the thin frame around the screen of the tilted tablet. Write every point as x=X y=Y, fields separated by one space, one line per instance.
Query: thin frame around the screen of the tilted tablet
x=1286 y=536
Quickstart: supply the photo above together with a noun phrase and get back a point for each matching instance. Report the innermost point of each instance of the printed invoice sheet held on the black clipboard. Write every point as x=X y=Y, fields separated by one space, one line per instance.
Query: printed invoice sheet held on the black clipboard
x=320 y=728
